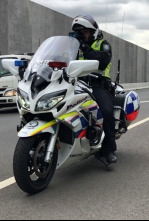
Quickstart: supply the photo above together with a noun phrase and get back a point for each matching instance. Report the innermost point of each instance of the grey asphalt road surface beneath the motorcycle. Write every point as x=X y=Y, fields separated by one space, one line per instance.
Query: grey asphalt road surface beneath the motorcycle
x=85 y=191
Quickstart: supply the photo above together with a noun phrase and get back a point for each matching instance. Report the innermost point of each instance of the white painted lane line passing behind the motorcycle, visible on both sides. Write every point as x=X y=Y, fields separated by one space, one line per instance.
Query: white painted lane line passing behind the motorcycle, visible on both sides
x=11 y=180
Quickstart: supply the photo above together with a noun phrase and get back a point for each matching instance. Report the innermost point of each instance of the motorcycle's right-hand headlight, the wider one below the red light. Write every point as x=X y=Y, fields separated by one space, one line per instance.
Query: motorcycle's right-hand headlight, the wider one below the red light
x=47 y=104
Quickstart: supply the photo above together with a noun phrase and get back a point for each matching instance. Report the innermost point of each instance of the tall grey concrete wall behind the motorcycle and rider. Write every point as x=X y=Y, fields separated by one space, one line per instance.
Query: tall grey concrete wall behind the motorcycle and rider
x=24 y=25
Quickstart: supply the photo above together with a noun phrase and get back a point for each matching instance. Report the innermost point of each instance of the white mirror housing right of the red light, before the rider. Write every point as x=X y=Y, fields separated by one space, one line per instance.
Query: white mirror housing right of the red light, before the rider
x=83 y=68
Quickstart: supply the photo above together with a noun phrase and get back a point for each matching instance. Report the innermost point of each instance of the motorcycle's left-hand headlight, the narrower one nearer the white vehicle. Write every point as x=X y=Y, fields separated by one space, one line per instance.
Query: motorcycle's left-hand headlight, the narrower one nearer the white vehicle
x=23 y=99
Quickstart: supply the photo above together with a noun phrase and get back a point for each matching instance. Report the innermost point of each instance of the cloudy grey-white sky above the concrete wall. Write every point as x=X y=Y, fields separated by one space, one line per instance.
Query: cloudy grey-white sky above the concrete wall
x=126 y=19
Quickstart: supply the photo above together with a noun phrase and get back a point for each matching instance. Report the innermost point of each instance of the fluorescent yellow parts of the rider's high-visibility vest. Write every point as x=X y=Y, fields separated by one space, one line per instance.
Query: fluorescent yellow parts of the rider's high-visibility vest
x=96 y=46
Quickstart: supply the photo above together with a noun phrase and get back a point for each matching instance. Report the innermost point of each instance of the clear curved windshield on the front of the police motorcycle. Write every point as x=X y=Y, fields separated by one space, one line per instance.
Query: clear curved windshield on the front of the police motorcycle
x=59 y=48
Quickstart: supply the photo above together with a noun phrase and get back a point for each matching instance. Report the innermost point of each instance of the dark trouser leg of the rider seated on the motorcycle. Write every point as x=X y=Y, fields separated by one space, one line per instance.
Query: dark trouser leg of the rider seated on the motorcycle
x=105 y=101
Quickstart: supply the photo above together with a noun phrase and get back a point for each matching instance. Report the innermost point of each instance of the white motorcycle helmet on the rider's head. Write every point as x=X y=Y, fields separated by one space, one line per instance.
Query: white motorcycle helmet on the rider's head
x=86 y=21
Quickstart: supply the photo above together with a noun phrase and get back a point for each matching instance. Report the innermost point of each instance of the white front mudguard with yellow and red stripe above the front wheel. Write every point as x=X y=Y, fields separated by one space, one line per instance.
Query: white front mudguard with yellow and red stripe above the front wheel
x=36 y=127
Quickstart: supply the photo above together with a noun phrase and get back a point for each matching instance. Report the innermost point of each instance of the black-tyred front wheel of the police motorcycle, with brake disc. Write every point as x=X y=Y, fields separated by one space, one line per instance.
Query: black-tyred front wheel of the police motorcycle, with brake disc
x=31 y=172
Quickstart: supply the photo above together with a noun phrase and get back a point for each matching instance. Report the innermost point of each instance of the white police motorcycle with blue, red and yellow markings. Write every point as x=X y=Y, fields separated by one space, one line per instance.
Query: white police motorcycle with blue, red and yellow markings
x=61 y=123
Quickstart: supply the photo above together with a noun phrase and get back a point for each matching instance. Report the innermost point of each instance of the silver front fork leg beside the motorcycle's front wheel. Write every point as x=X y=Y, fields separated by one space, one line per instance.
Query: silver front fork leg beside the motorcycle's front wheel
x=51 y=145
